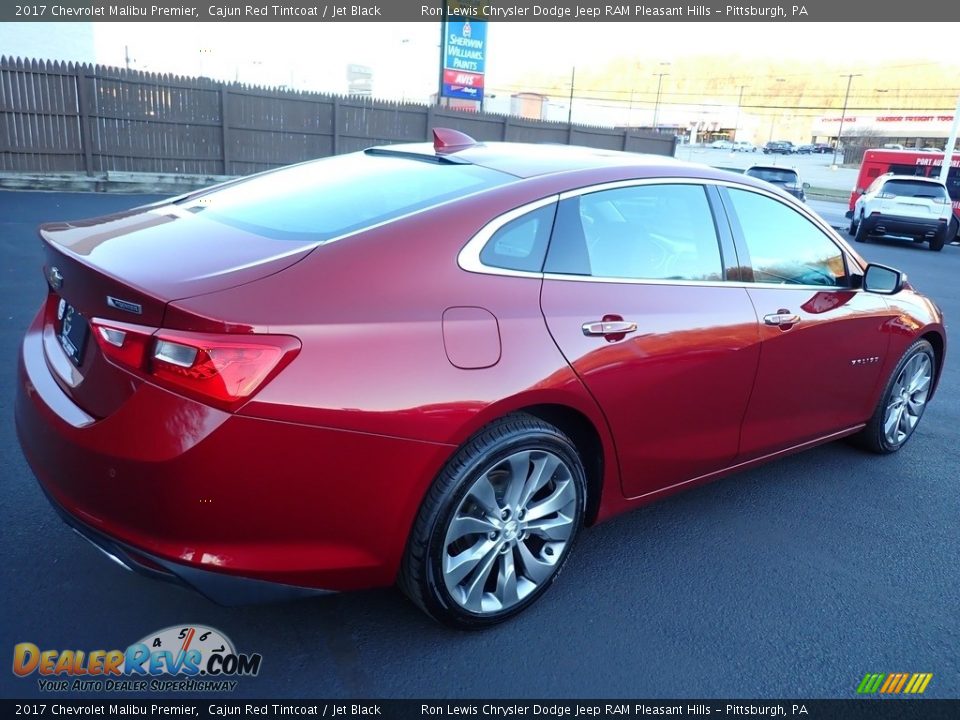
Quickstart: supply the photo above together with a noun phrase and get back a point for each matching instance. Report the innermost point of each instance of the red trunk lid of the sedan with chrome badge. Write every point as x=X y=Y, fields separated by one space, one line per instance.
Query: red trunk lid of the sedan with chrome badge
x=125 y=269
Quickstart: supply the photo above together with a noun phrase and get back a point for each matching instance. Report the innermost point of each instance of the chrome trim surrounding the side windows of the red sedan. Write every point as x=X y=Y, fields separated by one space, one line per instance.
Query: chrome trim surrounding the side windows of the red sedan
x=469 y=257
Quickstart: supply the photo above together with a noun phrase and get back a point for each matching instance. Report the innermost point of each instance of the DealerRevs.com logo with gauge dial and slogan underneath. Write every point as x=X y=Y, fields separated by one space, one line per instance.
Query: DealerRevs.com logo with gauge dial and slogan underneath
x=180 y=658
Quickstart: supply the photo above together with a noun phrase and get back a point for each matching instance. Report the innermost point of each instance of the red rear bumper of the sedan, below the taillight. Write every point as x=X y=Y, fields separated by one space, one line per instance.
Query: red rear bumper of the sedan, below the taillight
x=223 y=503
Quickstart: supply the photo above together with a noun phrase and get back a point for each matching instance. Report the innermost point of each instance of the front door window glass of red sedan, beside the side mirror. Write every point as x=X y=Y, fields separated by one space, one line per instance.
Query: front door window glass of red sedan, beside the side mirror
x=786 y=247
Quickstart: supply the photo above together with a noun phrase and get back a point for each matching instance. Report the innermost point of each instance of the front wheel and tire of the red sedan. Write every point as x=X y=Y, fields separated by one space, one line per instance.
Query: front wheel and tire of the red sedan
x=900 y=408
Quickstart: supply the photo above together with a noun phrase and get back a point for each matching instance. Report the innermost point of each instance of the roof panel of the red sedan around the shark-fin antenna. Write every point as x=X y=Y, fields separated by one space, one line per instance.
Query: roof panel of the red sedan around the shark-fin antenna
x=527 y=160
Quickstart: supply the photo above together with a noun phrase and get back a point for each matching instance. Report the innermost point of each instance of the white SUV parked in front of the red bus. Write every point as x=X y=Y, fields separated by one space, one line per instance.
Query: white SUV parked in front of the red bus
x=903 y=205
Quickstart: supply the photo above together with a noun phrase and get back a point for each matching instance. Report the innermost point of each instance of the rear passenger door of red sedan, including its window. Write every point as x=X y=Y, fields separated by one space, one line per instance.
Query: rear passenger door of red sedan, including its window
x=635 y=298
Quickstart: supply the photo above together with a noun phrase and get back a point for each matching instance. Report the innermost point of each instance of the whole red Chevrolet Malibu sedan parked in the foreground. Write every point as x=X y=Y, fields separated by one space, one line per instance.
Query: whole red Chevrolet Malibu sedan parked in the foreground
x=432 y=364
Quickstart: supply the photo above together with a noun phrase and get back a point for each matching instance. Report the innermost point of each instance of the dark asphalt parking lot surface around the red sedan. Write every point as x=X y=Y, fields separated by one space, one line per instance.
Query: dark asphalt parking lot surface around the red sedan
x=791 y=580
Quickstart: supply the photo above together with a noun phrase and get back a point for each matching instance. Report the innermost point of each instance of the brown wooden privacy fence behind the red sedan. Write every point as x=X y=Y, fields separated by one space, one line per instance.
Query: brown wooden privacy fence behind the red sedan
x=66 y=117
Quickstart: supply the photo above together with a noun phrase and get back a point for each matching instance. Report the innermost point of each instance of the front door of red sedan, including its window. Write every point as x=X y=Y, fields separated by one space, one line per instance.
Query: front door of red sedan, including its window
x=823 y=340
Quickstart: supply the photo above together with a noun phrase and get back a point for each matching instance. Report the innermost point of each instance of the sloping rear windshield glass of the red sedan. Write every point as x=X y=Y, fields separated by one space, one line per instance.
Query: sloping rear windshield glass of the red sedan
x=327 y=198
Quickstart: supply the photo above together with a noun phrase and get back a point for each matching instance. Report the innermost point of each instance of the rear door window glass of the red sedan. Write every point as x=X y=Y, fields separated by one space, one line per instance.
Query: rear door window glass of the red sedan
x=646 y=232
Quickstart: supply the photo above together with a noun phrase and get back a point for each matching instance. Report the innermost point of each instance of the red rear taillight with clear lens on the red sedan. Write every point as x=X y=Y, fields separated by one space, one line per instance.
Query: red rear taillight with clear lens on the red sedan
x=219 y=369
